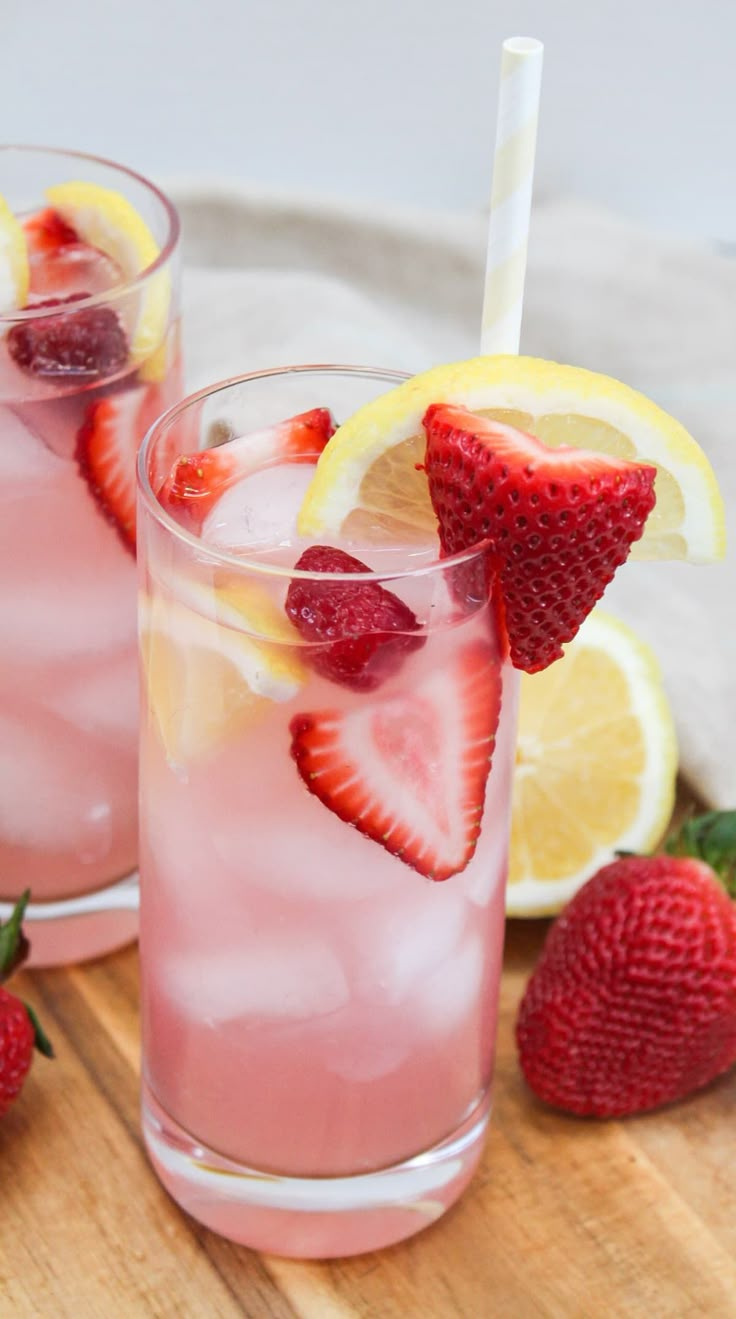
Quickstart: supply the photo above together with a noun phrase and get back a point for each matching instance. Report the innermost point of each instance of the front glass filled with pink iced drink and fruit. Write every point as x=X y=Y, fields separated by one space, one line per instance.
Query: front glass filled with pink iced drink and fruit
x=319 y=1014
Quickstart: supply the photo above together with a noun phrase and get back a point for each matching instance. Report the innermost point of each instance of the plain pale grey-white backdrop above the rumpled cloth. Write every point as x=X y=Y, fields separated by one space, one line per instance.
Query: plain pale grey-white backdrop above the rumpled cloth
x=388 y=101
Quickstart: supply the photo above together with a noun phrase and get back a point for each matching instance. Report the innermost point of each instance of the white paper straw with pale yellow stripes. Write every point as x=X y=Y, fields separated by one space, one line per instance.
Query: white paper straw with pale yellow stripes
x=511 y=195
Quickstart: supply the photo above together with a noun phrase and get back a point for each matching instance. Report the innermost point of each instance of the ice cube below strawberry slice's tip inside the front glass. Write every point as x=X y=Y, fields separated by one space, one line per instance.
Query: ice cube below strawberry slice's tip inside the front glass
x=399 y=944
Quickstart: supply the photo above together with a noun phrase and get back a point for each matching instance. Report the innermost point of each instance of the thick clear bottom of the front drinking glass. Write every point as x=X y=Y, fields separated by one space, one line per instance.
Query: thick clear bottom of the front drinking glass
x=312 y=1218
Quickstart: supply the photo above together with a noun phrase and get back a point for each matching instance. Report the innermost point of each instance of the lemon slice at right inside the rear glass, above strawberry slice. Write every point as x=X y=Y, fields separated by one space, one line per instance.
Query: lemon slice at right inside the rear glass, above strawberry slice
x=107 y=221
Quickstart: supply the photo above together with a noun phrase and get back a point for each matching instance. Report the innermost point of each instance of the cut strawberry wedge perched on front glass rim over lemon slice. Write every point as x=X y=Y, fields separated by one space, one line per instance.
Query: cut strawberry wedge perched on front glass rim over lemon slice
x=561 y=522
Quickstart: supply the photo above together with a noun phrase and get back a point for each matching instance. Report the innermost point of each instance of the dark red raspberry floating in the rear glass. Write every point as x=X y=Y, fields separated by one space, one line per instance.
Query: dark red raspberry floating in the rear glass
x=80 y=346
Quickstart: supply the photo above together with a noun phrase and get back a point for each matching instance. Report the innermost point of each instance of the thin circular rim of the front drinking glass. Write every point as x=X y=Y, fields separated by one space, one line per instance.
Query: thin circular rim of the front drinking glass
x=212 y=555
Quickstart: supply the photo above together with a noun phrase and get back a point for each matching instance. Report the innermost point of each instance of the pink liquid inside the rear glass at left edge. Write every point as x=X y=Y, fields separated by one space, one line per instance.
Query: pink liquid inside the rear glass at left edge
x=68 y=672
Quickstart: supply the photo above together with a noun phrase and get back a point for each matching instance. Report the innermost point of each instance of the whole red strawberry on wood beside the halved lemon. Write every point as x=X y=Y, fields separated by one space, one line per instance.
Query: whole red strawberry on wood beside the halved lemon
x=634 y=1000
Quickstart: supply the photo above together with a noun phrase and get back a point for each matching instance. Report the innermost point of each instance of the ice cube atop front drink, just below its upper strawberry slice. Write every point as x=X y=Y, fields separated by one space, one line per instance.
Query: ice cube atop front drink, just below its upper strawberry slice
x=262 y=510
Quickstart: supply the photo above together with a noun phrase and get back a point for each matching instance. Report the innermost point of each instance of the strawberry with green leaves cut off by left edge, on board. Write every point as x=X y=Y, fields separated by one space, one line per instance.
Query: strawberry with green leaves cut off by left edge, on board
x=20 y=1032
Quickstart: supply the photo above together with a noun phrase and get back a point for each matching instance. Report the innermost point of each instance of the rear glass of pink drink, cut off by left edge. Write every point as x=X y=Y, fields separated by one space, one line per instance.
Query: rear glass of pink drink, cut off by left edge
x=77 y=395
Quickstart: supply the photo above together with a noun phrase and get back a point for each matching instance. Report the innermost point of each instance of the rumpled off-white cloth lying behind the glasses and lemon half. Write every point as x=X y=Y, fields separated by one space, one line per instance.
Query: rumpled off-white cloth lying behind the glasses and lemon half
x=275 y=280
